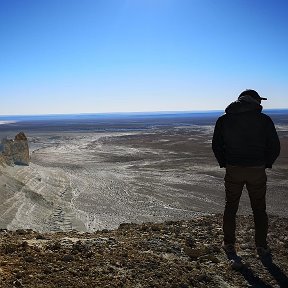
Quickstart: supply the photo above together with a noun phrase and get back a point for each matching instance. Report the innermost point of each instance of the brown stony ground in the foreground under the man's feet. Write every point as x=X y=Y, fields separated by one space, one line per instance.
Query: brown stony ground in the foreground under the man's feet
x=170 y=254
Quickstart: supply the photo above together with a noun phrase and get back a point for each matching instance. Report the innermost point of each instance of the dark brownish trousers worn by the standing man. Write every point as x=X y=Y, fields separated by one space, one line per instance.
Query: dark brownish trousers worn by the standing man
x=255 y=180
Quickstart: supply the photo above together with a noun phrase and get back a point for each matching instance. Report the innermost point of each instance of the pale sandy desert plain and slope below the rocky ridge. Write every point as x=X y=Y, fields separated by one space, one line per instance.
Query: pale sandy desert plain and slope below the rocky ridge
x=92 y=181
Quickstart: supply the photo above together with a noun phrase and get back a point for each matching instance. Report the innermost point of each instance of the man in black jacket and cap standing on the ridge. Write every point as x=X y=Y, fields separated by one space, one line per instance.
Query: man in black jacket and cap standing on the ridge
x=245 y=142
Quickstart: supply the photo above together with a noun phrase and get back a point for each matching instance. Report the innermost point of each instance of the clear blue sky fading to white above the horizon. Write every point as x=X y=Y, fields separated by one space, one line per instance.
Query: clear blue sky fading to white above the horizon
x=90 y=56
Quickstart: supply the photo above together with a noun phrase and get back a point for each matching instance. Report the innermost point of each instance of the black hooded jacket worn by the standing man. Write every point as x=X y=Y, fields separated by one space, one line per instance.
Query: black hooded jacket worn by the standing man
x=245 y=137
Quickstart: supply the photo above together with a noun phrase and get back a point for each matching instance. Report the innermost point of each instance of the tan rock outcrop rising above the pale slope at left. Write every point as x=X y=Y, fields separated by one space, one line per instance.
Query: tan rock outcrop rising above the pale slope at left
x=15 y=152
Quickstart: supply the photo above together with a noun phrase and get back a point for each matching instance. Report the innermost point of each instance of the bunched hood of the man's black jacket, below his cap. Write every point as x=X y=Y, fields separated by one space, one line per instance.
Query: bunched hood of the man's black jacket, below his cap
x=243 y=104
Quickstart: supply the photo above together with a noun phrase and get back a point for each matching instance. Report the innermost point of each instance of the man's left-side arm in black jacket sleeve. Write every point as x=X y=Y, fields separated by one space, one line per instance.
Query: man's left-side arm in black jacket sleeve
x=218 y=144
